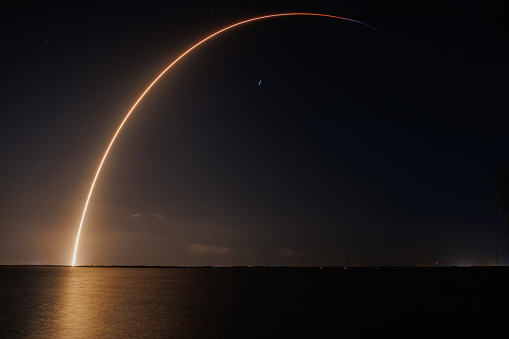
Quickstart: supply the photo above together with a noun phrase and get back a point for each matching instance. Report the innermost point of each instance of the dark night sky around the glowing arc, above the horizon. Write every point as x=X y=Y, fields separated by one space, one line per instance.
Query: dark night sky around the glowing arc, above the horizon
x=383 y=146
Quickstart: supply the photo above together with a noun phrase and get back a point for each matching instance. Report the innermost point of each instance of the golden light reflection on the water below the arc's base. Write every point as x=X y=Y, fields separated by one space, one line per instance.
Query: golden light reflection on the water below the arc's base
x=110 y=303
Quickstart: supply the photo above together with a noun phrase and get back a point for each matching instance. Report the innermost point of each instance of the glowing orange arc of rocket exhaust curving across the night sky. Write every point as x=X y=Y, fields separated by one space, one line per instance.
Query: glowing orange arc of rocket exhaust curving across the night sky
x=159 y=76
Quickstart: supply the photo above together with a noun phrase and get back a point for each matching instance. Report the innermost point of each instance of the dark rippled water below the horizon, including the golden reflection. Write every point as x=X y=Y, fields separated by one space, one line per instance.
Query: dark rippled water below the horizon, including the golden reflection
x=79 y=302
